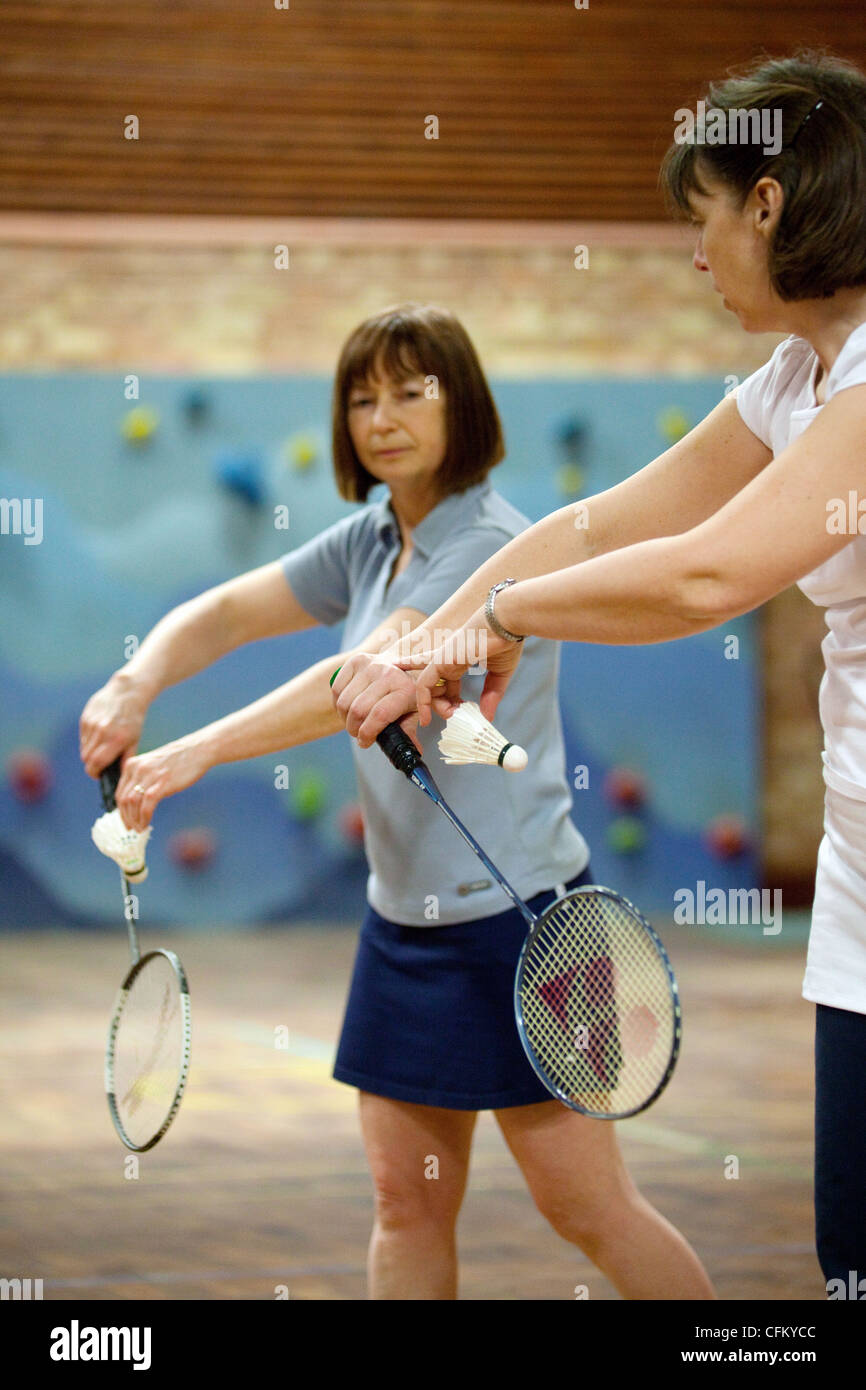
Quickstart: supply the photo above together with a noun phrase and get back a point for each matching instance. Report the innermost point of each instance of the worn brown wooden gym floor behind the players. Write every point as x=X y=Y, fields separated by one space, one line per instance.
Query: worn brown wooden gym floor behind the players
x=262 y=1179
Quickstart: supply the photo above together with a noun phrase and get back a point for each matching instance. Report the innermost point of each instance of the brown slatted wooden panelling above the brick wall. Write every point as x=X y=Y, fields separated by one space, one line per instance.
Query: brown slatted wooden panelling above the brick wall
x=318 y=111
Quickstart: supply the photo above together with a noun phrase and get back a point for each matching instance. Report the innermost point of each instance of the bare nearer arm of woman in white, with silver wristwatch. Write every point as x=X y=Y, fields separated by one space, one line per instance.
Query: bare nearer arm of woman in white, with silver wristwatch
x=771 y=534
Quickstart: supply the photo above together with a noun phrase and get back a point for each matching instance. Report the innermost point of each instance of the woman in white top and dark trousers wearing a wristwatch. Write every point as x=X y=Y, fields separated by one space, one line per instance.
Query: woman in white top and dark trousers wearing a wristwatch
x=746 y=505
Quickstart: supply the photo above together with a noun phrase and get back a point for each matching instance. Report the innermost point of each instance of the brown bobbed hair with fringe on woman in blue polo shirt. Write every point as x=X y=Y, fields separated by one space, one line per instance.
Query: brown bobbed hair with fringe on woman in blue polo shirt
x=407 y=341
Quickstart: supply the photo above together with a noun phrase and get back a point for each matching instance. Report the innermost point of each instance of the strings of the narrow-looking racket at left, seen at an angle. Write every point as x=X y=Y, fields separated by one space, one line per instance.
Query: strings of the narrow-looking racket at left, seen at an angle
x=151 y=1047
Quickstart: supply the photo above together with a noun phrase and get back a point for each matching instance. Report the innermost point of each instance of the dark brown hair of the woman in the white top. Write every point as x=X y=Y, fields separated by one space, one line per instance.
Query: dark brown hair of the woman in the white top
x=819 y=245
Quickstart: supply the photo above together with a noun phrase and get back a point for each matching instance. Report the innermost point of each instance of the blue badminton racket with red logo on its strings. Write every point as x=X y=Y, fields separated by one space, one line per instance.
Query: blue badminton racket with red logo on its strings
x=596 y=996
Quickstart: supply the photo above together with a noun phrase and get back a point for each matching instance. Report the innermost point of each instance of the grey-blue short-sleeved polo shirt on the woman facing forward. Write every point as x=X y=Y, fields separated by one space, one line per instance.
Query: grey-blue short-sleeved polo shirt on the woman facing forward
x=422 y=874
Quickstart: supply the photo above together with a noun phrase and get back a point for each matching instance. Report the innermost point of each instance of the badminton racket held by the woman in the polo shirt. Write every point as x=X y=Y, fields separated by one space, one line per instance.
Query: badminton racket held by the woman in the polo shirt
x=148 y=1053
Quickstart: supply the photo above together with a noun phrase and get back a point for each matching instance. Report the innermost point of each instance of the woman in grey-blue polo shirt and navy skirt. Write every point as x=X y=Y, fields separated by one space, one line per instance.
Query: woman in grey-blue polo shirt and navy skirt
x=429 y=1035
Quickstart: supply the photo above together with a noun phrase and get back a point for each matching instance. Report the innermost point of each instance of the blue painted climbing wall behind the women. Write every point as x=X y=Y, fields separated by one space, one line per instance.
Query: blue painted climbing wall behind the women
x=131 y=530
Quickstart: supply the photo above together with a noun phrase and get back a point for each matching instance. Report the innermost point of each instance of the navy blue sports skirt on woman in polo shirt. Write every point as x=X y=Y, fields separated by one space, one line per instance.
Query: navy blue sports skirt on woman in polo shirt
x=430 y=1015
